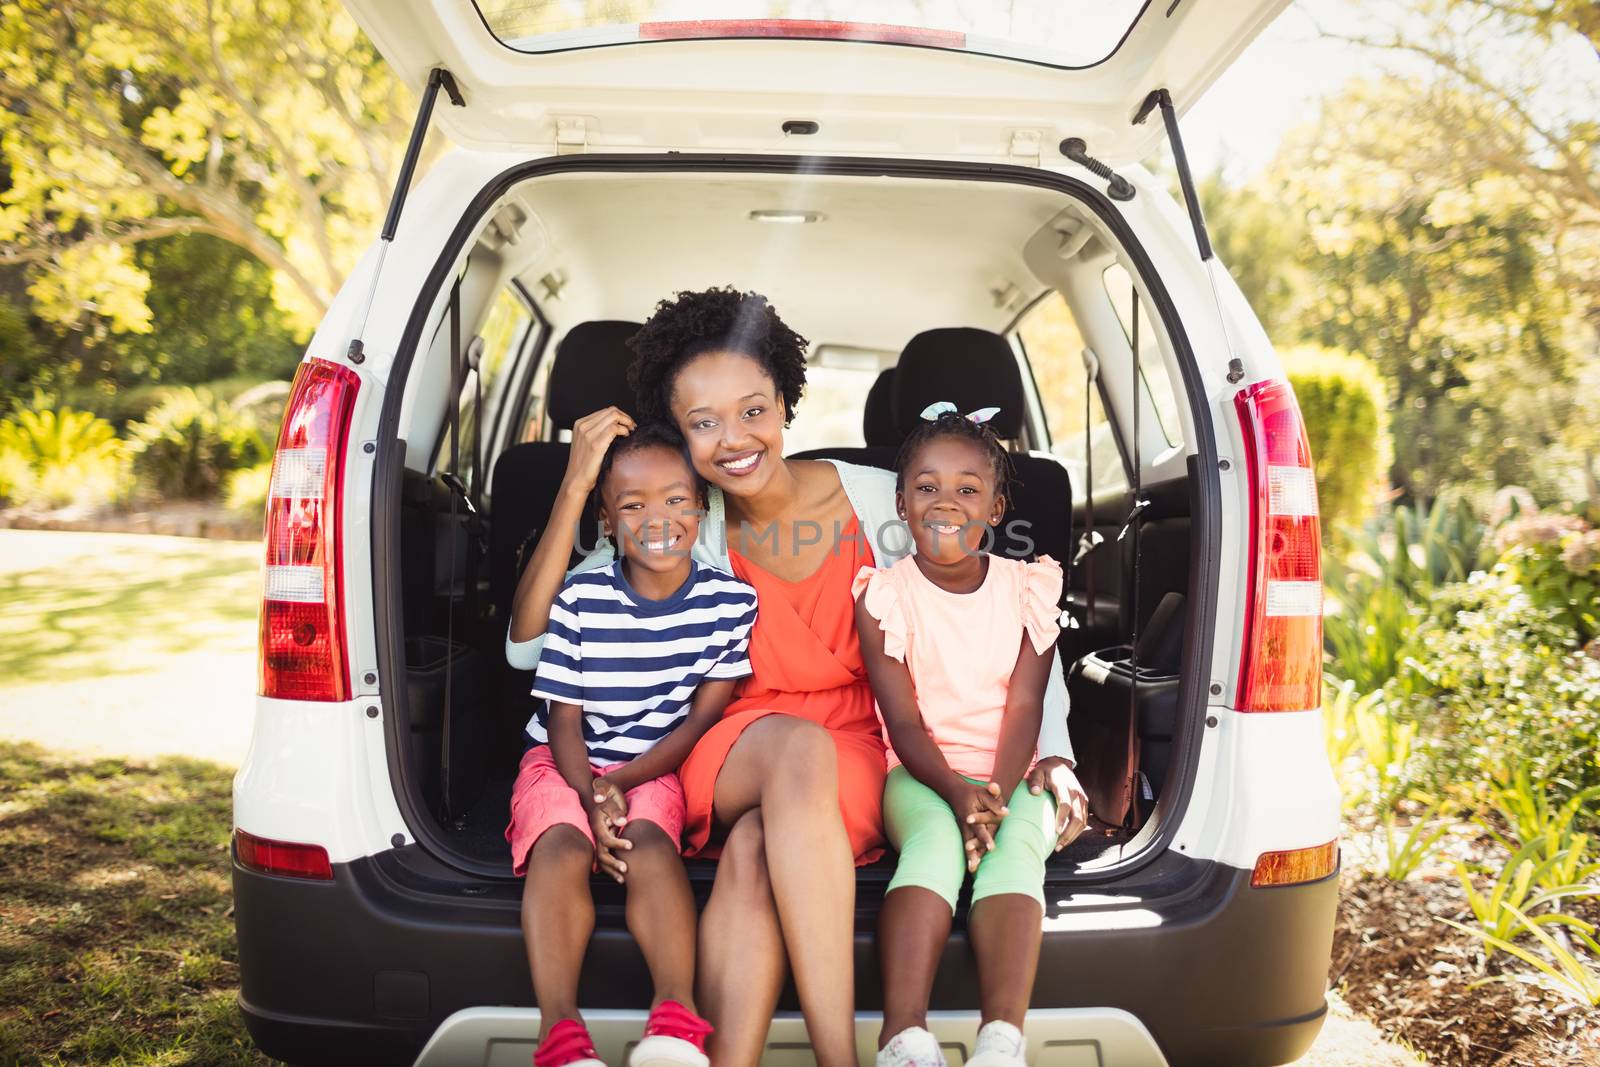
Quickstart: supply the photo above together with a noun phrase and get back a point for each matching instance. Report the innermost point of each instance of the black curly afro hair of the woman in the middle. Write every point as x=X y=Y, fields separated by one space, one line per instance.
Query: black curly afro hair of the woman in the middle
x=713 y=321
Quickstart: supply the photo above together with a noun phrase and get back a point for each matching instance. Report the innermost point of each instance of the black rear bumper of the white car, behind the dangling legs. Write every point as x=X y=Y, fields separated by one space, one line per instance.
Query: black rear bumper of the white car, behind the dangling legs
x=369 y=967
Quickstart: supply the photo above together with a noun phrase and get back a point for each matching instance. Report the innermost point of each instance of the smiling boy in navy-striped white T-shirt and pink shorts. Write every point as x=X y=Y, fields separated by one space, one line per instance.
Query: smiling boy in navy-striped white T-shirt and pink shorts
x=626 y=708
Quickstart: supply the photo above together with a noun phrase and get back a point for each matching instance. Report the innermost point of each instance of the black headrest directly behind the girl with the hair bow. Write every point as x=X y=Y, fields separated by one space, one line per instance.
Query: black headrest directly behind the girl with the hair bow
x=972 y=369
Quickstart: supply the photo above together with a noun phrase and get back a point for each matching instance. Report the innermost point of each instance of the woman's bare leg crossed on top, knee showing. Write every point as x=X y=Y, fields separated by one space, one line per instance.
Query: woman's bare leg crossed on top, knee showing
x=790 y=769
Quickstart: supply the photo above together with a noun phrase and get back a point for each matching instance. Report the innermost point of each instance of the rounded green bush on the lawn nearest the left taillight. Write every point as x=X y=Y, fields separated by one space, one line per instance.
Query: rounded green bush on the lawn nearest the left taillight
x=191 y=442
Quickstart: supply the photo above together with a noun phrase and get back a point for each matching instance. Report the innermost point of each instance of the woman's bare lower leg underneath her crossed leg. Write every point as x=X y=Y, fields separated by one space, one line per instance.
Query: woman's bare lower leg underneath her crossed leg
x=742 y=949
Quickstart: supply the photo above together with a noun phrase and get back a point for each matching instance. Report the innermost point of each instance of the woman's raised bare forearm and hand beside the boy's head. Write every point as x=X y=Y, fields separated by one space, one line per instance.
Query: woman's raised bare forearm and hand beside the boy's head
x=542 y=580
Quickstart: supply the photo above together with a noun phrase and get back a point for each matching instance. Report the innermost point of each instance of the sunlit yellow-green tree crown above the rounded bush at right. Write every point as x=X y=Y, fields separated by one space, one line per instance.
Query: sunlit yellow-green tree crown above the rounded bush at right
x=1374 y=234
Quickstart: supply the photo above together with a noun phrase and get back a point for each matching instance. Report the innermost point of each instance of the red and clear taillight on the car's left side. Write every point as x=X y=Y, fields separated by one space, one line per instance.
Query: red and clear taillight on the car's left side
x=303 y=649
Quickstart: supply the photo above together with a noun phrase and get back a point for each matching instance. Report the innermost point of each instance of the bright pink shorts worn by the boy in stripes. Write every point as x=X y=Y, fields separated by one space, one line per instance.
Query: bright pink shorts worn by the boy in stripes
x=543 y=799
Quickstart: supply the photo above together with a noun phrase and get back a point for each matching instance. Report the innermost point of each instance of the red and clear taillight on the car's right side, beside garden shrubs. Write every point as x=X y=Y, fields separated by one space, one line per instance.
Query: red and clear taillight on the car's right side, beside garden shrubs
x=1282 y=661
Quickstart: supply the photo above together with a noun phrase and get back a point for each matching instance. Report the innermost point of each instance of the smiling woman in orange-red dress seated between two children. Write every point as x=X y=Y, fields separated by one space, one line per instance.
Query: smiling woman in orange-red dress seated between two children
x=799 y=756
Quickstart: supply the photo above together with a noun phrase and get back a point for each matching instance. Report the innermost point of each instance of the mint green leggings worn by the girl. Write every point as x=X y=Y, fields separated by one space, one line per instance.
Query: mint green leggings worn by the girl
x=929 y=841
